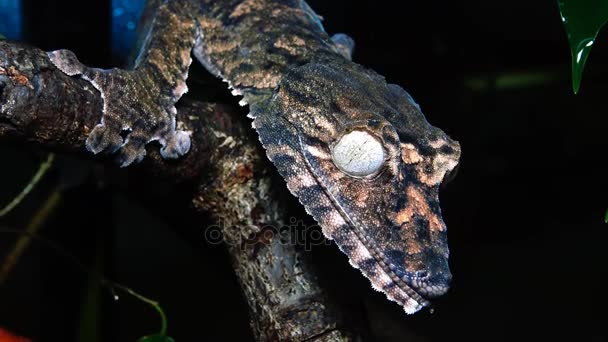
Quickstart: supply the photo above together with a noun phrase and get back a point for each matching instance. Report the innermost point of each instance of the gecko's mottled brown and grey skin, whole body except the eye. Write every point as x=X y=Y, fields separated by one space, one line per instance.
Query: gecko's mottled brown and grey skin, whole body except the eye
x=304 y=94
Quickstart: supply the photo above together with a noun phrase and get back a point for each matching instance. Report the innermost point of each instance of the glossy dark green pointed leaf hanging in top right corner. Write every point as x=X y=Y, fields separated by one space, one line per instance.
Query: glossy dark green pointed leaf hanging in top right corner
x=582 y=19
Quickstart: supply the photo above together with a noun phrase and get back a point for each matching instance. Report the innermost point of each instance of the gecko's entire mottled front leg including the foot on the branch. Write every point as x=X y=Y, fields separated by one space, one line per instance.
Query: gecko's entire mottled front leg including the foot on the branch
x=141 y=102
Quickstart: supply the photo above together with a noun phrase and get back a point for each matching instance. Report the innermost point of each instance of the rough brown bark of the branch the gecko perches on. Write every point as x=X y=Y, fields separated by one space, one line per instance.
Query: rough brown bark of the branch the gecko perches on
x=40 y=104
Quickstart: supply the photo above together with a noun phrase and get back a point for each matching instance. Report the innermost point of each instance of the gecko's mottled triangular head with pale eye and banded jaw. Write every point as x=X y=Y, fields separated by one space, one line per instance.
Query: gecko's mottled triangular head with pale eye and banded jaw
x=367 y=165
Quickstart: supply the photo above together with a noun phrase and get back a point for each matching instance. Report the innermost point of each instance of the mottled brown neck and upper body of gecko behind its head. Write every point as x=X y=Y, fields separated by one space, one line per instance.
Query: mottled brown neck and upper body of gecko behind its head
x=233 y=50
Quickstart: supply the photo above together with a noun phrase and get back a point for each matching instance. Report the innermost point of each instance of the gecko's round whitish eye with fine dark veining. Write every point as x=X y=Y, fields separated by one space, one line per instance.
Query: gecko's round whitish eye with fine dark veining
x=358 y=154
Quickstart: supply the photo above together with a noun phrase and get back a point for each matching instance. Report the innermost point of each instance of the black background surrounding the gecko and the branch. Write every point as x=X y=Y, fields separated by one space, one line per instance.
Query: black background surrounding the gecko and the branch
x=525 y=212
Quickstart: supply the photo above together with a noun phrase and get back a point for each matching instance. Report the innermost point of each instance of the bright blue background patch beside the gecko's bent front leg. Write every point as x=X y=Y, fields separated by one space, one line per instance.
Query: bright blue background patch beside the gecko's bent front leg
x=125 y=16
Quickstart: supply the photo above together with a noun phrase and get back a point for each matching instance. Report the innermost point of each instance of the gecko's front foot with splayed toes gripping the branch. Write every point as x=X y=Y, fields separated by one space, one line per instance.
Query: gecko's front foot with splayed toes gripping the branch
x=137 y=109
